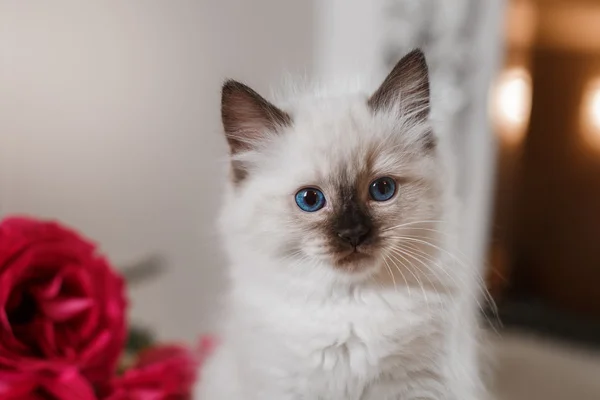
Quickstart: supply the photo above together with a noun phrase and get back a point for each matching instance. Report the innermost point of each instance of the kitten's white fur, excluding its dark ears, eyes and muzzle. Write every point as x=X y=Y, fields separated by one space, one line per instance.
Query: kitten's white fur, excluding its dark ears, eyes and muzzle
x=297 y=328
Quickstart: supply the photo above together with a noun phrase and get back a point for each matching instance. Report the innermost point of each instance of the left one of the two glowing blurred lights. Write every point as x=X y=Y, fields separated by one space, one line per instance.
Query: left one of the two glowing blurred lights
x=511 y=104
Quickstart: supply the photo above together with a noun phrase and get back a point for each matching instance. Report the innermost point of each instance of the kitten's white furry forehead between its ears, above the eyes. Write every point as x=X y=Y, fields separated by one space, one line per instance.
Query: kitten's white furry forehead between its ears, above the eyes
x=335 y=143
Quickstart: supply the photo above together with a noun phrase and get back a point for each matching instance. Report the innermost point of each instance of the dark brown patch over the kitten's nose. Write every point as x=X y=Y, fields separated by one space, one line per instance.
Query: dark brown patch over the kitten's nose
x=352 y=225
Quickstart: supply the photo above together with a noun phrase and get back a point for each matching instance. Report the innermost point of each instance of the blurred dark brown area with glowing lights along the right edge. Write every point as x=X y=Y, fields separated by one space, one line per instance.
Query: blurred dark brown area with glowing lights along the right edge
x=544 y=253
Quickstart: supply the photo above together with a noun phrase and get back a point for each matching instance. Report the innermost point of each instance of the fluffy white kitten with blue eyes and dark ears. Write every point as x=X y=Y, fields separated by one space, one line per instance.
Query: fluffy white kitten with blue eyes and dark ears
x=338 y=225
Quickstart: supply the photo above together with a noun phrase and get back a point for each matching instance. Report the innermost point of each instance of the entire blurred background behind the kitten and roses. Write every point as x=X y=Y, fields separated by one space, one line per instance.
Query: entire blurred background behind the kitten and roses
x=109 y=122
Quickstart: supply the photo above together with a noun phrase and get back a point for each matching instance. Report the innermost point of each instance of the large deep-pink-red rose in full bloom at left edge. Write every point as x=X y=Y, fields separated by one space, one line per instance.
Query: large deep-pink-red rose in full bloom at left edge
x=62 y=311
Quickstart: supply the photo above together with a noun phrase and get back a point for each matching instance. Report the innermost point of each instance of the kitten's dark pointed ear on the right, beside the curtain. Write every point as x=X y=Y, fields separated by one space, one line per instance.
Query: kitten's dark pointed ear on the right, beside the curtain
x=407 y=87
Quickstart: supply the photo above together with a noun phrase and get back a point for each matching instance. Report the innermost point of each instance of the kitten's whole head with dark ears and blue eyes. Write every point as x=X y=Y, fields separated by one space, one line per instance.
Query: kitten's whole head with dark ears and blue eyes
x=330 y=182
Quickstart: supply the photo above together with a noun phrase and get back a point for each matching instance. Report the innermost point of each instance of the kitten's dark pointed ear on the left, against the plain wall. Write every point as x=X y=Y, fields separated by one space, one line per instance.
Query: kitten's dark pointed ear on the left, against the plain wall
x=247 y=117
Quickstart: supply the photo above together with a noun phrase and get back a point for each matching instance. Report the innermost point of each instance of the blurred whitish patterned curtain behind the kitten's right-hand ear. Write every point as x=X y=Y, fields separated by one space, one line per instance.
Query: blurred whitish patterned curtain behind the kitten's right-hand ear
x=462 y=41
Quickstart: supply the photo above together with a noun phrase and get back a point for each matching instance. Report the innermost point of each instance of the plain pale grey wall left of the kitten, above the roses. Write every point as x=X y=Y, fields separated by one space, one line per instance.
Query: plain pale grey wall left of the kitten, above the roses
x=109 y=121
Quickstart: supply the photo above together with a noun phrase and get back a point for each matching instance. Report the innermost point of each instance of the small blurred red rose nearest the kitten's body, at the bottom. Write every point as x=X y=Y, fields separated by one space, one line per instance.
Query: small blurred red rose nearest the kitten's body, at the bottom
x=161 y=373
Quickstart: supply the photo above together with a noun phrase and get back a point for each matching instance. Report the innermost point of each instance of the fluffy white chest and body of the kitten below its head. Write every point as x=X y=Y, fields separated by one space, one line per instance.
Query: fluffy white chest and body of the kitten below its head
x=363 y=345
